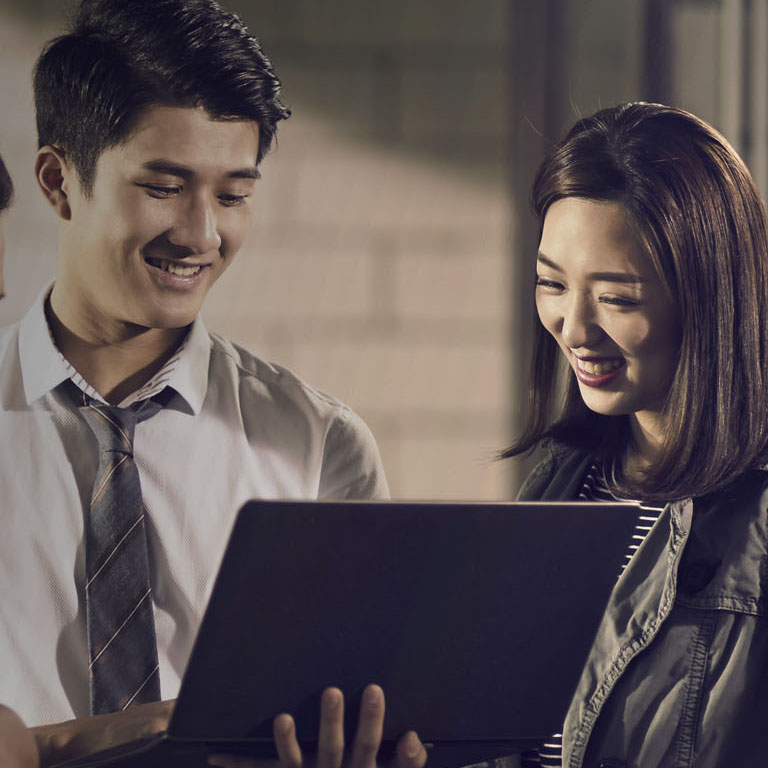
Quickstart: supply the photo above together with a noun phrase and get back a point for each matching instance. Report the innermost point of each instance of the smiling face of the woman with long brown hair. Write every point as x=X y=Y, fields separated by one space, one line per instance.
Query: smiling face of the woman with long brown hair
x=599 y=295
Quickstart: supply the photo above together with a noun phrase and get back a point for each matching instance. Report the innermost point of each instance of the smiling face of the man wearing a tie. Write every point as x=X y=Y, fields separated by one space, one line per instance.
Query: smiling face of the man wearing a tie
x=169 y=209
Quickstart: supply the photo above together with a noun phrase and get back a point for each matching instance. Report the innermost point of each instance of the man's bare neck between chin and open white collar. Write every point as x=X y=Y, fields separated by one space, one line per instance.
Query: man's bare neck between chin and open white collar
x=118 y=366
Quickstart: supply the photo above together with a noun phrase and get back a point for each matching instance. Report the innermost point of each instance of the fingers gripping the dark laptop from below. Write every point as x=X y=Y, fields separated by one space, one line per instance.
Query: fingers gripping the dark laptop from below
x=330 y=751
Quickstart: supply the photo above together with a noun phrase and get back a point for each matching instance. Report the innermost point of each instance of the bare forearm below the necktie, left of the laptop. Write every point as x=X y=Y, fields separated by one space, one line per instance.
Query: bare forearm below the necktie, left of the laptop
x=73 y=738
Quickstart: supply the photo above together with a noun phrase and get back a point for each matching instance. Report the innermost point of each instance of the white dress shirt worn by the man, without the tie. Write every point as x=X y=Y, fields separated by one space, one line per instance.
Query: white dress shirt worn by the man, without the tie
x=235 y=428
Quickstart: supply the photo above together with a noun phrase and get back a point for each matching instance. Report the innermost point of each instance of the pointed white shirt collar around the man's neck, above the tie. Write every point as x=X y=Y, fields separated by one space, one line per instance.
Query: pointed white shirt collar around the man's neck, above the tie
x=43 y=368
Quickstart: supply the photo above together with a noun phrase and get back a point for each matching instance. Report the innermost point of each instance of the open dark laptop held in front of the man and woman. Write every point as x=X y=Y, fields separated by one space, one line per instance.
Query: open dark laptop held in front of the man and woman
x=475 y=618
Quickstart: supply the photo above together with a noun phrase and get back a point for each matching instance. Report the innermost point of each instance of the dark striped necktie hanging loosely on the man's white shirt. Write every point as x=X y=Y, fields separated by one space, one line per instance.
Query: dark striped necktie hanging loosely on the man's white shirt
x=121 y=627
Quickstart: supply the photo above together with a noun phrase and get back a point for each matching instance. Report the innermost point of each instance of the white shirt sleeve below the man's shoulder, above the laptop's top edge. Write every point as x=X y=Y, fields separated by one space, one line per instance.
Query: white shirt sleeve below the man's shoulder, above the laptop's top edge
x=352 y=467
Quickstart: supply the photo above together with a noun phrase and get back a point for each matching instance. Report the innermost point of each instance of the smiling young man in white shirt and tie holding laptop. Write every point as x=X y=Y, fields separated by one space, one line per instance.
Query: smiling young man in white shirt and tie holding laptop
x=153 y=117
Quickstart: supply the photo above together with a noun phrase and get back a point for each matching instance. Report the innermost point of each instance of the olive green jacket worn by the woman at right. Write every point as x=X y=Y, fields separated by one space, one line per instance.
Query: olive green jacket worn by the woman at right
x=678 y=672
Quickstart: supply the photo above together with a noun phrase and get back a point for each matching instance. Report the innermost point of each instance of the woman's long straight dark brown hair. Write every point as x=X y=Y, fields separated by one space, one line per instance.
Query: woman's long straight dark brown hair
x=699 y=215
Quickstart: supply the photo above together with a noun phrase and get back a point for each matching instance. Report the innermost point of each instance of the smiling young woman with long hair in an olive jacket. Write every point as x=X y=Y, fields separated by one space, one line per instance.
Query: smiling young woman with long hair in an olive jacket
x=652 y=289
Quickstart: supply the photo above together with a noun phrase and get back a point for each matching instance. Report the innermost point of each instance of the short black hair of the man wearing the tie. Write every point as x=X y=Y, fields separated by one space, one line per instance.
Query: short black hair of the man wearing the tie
x=122 y=56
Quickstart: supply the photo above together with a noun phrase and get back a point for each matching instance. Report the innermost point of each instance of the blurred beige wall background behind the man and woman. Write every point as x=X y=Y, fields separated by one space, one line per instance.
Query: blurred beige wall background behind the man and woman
x=391 y=260
